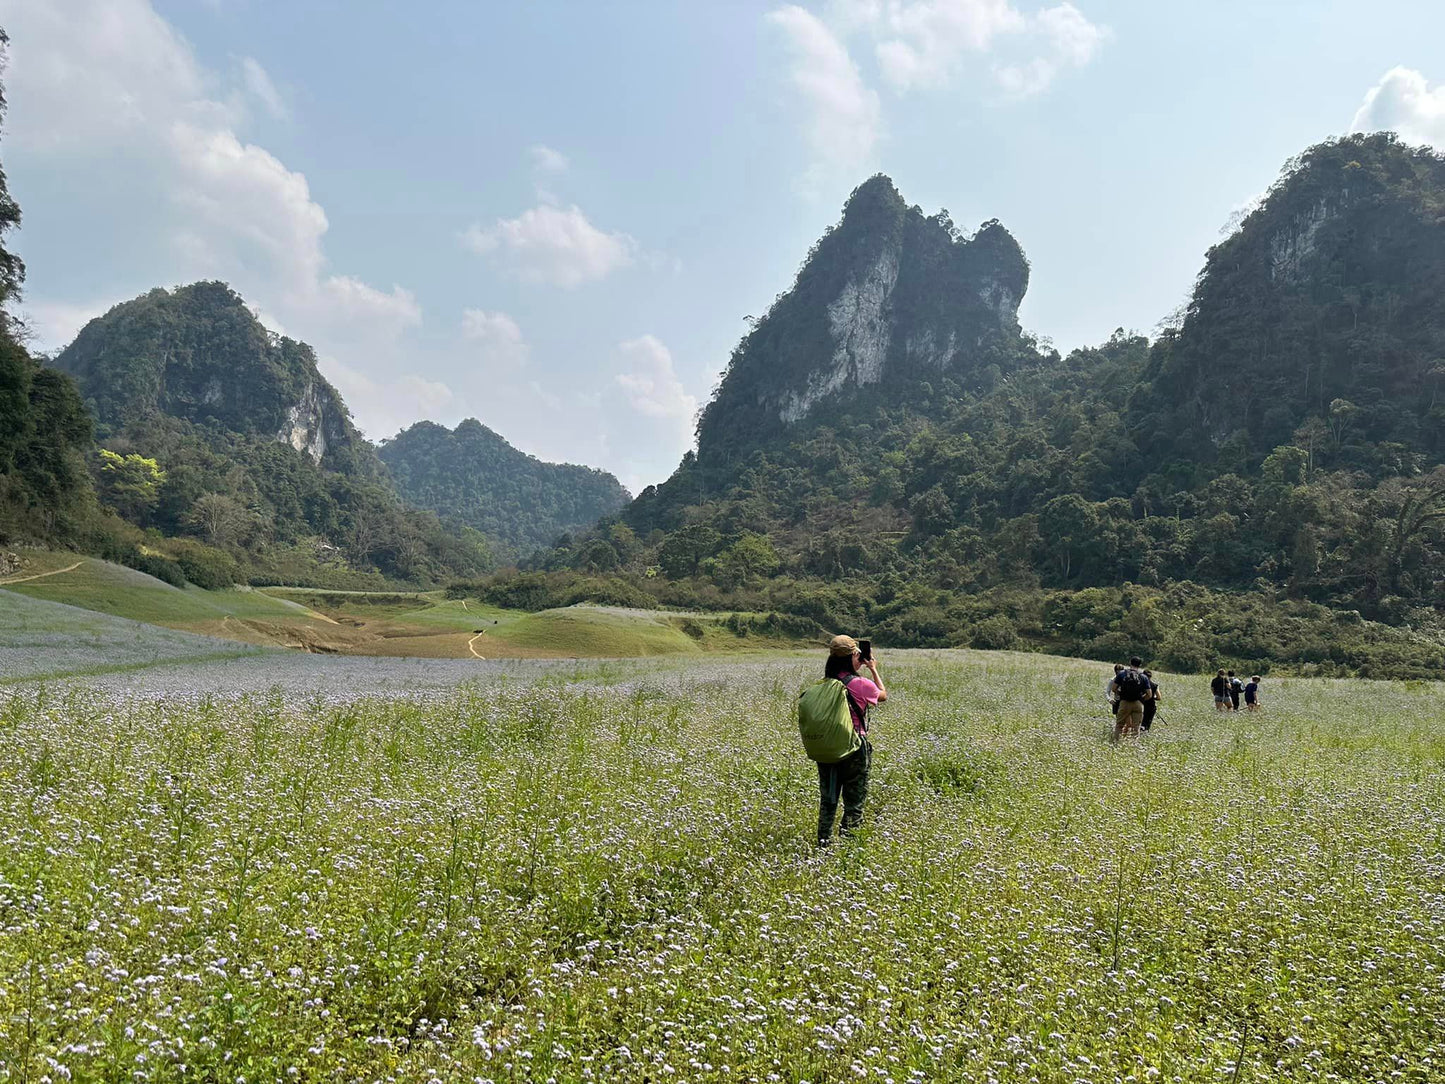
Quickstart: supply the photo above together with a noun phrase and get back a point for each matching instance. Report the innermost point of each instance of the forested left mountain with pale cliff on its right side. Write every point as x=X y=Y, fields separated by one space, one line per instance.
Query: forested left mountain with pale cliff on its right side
x=213 y=427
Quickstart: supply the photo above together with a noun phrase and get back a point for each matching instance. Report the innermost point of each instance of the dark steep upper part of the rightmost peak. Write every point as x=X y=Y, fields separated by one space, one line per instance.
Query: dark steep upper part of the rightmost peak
x=1326 y=310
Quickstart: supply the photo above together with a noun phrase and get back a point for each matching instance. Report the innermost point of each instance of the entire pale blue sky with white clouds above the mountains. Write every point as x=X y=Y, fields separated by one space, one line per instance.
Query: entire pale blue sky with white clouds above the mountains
x=557 y=216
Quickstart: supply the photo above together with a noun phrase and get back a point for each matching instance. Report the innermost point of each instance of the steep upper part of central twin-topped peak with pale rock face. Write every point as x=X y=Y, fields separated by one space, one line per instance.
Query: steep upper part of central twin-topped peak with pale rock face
x=888 y=294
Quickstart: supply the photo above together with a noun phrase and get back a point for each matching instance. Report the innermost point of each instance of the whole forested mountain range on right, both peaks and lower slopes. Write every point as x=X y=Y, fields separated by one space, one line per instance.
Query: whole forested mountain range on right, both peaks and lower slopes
x=889 y=453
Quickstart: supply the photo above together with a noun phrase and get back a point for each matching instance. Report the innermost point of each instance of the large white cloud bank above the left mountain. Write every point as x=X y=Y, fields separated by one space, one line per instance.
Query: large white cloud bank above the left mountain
x=109 y=90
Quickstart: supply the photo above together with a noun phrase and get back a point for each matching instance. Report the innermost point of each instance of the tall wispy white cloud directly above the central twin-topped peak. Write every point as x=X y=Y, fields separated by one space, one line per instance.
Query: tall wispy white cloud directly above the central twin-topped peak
x=843 y=113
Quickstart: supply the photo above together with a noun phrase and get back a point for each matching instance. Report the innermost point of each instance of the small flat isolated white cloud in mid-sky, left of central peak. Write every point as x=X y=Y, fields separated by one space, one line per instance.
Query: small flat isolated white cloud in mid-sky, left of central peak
x=554 y=245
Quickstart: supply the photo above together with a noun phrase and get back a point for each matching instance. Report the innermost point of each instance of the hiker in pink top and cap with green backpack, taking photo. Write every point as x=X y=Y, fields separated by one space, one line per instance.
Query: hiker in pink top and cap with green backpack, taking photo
x=833 y=722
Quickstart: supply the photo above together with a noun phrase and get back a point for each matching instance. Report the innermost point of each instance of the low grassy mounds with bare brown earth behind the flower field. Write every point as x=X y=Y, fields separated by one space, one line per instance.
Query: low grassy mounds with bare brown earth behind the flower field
x=401 y=625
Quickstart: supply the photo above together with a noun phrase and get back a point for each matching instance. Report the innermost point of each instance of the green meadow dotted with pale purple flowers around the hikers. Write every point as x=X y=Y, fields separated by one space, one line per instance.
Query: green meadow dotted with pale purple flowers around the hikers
x=609 y=875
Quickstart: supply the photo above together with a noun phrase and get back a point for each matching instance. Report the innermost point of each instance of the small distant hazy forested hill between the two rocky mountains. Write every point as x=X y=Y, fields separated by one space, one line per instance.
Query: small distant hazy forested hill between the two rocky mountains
x=472 y=476
